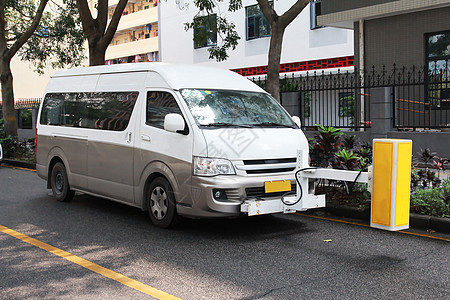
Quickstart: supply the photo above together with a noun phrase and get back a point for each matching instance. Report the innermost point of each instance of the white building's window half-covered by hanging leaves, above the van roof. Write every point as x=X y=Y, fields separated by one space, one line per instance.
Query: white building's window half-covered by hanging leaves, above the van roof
x=205 y=34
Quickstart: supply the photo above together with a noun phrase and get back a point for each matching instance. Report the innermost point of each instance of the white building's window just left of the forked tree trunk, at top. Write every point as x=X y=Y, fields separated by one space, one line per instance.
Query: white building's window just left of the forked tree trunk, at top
x=257 y=24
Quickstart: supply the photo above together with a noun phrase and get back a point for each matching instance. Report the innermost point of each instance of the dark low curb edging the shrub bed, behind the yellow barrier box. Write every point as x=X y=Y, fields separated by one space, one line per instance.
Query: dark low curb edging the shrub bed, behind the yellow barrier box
x=415 y=221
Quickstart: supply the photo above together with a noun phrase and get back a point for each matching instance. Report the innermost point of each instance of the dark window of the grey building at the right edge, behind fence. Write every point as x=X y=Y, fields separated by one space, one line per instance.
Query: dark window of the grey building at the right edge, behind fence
x=437 y=61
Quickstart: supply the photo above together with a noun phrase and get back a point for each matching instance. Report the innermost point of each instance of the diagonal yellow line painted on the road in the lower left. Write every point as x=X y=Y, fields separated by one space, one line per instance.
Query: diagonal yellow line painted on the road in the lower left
x=146 y=289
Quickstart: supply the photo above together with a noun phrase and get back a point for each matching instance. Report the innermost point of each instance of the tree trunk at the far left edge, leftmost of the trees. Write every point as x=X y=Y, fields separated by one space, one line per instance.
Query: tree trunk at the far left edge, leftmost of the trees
x=9 y=114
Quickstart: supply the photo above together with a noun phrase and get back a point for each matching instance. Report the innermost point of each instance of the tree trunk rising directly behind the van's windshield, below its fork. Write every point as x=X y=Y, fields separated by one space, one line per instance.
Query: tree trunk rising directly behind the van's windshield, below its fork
x=273 y=67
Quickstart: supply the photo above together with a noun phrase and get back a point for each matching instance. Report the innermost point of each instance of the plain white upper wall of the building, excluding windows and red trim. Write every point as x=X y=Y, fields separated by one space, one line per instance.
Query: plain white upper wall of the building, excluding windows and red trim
x=300 y=42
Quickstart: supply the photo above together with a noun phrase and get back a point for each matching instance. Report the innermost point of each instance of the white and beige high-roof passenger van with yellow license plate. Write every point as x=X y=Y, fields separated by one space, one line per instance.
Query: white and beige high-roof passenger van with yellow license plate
x=171 y=139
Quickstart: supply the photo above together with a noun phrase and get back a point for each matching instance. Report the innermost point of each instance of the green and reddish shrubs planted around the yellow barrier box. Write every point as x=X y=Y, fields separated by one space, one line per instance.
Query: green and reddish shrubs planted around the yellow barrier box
x=429 y=195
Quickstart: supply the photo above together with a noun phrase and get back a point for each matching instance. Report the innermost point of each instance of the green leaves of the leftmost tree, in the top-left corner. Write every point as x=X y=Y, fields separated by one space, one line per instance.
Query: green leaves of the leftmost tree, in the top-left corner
x=59 y=39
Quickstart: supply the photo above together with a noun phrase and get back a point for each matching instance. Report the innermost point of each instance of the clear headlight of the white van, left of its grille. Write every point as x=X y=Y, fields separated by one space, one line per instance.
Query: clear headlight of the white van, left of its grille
x=204 y=166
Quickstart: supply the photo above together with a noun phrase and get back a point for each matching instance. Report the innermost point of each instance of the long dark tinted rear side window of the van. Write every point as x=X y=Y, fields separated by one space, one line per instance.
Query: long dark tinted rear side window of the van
x=99 y=110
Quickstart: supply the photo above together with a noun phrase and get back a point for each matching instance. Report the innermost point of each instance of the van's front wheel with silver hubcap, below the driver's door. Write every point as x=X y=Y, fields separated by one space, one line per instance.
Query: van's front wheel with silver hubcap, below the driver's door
x=161 y=203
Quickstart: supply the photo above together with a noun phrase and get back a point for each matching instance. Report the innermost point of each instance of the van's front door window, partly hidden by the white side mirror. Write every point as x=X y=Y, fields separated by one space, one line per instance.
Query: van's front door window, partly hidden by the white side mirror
x=159 y=104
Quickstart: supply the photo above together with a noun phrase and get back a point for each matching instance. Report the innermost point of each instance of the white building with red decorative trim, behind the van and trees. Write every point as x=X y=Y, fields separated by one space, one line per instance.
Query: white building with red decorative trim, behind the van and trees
x=304 y=47
